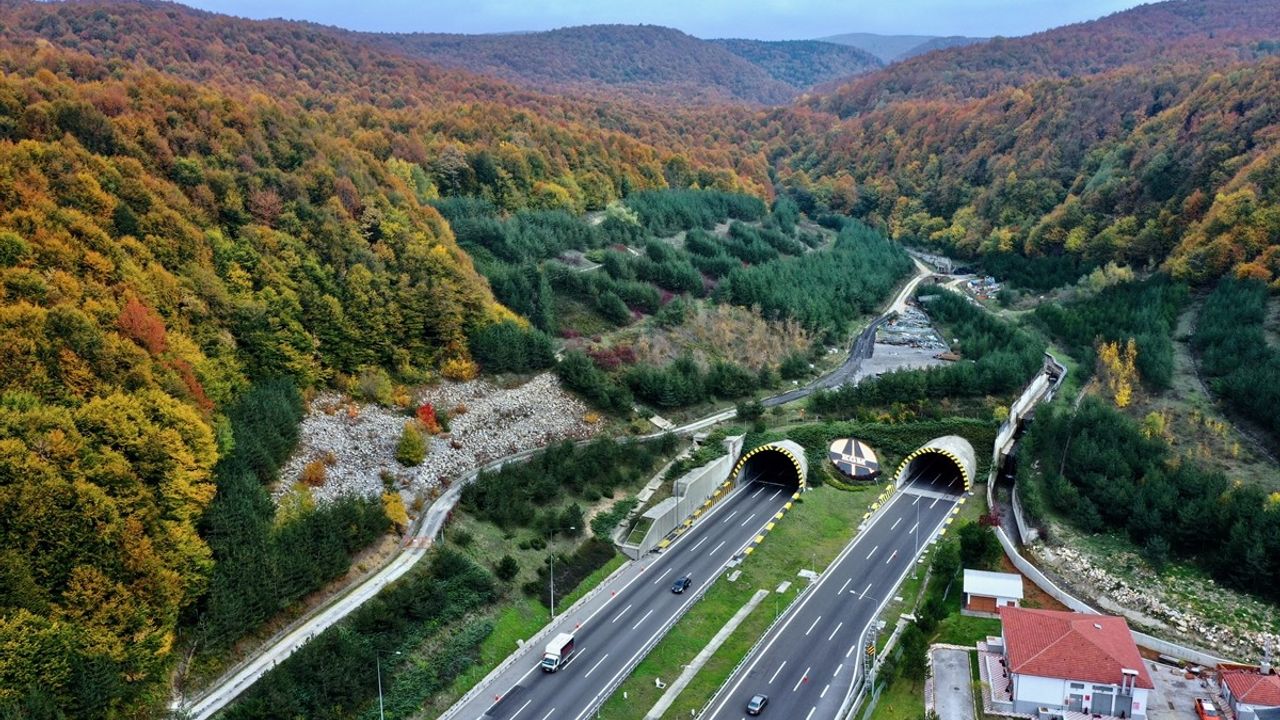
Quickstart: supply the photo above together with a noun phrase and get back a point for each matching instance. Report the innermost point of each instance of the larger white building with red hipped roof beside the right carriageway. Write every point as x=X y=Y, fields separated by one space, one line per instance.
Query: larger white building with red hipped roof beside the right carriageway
x=1073 y=662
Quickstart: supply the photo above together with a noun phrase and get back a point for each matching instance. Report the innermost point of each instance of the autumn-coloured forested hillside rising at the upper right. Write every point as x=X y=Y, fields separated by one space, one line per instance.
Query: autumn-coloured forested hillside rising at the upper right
x=1171 y=166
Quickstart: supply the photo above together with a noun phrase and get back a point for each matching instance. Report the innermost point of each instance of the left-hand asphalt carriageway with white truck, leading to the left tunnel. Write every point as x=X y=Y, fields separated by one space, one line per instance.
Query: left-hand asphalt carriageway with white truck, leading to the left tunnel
x=616 y=640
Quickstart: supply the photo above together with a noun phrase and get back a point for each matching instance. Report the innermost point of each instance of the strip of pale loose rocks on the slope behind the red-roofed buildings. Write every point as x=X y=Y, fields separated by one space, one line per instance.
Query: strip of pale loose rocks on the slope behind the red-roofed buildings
x=1244 y=640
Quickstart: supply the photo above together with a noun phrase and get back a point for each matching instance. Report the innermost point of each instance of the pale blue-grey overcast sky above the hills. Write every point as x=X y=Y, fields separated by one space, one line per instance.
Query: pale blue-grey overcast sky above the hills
x=764 y=20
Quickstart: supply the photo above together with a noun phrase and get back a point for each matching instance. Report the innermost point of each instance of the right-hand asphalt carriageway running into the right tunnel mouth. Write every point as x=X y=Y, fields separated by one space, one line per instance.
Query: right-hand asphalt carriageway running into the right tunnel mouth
x=807 y=663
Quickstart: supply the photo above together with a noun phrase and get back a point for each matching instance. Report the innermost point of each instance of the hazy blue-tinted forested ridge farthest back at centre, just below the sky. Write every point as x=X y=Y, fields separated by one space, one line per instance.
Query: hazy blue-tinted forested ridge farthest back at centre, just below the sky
x=648 y=62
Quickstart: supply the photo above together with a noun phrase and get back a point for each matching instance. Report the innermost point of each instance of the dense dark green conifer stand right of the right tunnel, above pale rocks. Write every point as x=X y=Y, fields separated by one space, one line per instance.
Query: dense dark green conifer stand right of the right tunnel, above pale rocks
x=1099 y=471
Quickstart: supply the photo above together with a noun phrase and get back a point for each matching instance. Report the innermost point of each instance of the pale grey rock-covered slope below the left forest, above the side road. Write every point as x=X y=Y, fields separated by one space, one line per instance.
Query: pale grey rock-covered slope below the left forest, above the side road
x=497 y=422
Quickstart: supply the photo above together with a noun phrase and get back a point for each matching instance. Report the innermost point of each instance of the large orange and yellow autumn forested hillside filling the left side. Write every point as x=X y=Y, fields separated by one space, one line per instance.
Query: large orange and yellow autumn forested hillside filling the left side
x=198 y=217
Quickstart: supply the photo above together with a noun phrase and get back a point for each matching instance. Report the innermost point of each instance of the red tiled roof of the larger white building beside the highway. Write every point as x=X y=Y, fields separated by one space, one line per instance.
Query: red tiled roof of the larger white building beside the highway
x=1073 y=646
